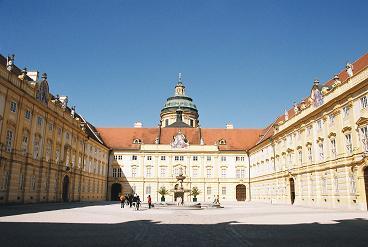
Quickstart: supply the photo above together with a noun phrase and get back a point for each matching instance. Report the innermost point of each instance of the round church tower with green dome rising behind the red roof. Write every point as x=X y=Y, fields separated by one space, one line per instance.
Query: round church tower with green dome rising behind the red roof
x=179 y=110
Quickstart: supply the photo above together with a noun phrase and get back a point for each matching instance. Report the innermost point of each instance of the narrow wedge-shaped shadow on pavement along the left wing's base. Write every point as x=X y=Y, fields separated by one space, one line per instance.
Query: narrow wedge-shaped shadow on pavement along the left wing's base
x=8 y=210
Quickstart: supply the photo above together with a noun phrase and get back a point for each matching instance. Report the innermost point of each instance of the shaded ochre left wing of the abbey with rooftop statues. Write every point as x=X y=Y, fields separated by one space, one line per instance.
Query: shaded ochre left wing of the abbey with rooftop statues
x=48 y=152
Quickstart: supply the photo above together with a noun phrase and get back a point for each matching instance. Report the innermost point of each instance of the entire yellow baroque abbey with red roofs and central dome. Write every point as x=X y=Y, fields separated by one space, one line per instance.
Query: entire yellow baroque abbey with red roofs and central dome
x=314 y=154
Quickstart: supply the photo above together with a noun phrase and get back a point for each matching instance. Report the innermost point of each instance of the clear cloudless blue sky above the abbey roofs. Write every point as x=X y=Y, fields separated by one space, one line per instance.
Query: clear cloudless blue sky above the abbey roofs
x=243 y=62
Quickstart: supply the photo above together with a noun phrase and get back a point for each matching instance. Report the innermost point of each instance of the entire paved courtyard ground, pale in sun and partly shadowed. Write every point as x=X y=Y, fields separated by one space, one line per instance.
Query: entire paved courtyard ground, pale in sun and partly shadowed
x=238 y=224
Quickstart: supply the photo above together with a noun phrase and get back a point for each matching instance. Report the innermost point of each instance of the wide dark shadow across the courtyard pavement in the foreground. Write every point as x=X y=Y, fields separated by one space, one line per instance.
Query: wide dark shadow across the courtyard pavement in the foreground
x=147 y=233
